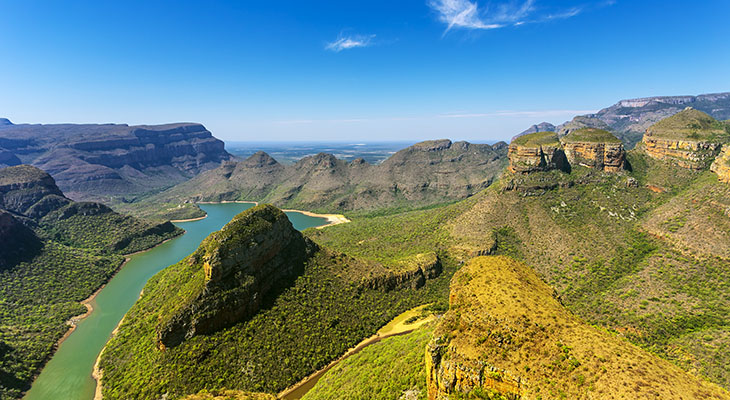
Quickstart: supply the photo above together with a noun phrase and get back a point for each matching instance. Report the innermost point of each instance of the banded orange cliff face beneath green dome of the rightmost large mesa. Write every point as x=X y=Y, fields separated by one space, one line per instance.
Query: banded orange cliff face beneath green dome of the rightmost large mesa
x=684 y=153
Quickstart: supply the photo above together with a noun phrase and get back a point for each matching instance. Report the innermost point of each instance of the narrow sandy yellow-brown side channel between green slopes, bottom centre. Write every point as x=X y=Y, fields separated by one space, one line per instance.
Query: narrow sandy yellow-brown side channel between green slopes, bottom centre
x=398 y=326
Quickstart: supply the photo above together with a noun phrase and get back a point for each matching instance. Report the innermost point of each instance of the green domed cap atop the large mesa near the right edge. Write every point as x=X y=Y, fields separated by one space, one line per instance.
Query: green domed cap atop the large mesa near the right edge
x=690 y=124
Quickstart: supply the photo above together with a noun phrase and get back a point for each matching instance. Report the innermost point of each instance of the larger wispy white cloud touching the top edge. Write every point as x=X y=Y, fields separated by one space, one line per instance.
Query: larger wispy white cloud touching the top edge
x=466 y=14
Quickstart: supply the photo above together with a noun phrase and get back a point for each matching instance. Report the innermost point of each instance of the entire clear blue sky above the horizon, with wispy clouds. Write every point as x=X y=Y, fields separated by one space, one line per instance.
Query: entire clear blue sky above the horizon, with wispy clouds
x=353 y=70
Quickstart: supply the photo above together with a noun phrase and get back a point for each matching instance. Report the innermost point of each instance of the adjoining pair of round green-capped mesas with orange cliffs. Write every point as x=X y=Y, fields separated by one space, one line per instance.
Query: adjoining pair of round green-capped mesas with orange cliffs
x=588 y=147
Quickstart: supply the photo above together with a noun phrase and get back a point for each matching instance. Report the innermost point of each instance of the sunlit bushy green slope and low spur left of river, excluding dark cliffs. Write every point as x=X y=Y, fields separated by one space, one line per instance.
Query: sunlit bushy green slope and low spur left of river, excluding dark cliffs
x=38 y=297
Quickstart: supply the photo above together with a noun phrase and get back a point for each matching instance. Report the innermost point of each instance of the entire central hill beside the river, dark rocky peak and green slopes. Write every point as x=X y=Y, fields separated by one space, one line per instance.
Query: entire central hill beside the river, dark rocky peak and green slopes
x=310 y=306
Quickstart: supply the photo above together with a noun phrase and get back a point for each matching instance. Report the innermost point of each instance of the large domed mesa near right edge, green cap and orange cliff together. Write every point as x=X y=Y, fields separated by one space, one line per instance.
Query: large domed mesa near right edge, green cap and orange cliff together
x=690 y=139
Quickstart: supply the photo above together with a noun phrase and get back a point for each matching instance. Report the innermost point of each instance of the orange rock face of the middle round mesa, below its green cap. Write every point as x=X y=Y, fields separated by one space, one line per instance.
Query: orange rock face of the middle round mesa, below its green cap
x=609 y=157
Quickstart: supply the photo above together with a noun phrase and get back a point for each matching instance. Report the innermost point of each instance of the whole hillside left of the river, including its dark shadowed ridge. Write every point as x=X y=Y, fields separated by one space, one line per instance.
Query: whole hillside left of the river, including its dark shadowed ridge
x=54 y=253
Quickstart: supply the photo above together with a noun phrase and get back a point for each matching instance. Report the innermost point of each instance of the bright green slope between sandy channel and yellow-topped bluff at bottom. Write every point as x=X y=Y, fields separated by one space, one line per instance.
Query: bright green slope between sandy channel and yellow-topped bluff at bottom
x=391 y=369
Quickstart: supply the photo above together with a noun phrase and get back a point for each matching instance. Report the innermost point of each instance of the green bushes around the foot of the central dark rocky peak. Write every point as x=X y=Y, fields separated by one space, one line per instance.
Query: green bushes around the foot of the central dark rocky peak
x=313 y=321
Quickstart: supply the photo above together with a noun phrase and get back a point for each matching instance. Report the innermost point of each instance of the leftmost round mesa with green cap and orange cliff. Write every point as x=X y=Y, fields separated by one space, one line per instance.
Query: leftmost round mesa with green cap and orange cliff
x=540 y=151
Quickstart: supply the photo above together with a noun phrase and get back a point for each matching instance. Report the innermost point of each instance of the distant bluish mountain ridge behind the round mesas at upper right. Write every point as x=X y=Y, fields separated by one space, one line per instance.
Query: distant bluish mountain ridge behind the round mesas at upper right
x=629 y=119
